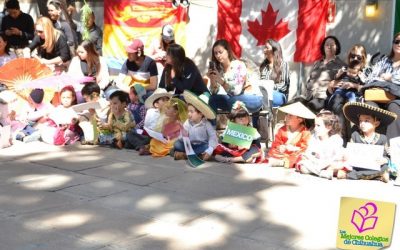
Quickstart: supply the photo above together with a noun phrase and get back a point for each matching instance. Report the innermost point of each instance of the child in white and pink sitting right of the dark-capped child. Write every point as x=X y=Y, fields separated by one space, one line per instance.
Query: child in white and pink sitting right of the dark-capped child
x=62 y=126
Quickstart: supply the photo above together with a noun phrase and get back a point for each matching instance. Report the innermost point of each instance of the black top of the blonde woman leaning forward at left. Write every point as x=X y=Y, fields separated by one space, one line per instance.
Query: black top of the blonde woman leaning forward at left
x=60 y=49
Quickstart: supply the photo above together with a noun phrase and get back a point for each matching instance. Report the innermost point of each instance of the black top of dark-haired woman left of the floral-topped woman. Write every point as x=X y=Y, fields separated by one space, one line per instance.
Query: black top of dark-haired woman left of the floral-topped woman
x=191 y=80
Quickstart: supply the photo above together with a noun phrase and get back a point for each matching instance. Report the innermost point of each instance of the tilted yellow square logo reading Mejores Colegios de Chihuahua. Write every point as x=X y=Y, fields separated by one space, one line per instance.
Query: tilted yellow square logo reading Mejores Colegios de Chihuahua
x=365 y=224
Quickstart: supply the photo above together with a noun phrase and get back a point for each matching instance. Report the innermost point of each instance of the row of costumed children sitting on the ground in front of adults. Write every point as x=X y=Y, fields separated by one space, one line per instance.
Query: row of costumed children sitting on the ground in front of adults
x=156 y=126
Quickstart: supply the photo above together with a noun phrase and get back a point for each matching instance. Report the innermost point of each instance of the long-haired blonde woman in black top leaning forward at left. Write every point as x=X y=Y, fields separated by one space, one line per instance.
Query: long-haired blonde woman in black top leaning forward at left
x=51 y=45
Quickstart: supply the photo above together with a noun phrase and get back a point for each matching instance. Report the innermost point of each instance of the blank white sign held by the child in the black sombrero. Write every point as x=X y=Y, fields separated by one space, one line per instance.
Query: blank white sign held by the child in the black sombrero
x=364 y=155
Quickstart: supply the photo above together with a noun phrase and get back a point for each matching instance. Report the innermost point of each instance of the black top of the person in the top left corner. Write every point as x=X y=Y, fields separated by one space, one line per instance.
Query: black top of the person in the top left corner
x=24 y=22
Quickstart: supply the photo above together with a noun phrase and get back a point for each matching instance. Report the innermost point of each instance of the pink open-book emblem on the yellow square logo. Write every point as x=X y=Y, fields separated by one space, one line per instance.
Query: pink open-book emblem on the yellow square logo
x=364 y=218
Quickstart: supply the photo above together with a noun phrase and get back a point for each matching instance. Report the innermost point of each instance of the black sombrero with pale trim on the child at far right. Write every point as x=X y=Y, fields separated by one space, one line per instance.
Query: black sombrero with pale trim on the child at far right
x=352 y=111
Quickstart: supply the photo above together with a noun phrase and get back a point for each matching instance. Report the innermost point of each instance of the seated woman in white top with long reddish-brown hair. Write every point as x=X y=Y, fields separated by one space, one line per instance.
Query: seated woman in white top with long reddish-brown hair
x=89 y=63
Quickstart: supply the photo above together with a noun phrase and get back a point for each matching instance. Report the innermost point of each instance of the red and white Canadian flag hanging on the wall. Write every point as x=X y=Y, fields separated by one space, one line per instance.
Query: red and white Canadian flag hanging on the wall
x=298 y=25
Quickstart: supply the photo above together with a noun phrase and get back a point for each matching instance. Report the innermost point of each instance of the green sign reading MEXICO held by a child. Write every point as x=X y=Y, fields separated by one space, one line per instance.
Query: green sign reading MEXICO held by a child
x=240 y=135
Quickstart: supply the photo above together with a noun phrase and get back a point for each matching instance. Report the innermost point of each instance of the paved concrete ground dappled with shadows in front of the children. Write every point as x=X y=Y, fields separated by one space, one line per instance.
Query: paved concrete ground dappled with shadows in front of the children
x=88 y=197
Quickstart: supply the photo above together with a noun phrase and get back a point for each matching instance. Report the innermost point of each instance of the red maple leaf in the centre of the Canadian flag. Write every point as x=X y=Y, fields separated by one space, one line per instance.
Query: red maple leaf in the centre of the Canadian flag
x=268 y=29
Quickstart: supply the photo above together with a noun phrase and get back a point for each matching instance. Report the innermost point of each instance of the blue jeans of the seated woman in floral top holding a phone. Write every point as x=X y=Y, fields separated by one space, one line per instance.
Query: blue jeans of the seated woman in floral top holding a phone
x=224 y=102
